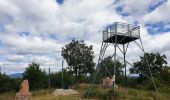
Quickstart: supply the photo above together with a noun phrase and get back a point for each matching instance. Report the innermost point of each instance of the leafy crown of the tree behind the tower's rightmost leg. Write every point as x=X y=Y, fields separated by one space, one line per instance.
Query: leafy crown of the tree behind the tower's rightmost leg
x=156 y=62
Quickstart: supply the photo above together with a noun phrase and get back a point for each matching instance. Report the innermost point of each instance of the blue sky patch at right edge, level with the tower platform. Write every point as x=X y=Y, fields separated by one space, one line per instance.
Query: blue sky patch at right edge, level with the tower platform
x=158 y=27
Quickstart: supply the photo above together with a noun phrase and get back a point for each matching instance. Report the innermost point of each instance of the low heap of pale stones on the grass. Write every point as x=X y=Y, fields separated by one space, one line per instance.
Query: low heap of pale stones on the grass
x=65 y=92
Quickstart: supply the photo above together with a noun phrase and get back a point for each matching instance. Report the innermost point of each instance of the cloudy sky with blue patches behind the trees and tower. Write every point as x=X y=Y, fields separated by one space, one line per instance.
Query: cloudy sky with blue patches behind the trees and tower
x=35 y=30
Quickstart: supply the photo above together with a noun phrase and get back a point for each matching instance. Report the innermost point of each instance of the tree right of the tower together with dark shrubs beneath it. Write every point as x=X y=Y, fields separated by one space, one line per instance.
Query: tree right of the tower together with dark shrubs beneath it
x=158 y=67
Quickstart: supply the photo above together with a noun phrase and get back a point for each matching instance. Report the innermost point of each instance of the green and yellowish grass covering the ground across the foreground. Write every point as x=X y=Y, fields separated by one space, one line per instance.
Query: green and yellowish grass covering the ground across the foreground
x=100 y=94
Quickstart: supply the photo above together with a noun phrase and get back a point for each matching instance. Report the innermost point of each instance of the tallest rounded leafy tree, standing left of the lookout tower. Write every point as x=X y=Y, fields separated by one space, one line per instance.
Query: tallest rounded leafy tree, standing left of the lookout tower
x=79 y=57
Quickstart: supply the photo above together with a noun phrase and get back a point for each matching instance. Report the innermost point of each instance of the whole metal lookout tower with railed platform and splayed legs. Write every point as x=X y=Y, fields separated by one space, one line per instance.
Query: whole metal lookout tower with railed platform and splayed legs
x=120 y=35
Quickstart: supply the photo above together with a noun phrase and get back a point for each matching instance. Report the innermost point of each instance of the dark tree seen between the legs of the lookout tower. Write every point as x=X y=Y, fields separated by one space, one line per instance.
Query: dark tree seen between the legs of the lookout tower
x=107 y=65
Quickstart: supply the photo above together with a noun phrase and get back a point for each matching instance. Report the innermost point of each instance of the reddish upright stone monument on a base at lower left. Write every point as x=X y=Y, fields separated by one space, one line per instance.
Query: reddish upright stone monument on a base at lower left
x=23 y=93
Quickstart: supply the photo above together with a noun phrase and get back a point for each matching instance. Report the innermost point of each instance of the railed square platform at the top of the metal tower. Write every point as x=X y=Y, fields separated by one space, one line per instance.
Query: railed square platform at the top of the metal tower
x=125 y=33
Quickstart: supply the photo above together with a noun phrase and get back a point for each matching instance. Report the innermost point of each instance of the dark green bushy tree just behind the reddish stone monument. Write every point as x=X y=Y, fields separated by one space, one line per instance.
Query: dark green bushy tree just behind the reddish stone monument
x=36 y=77
